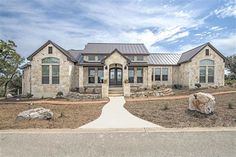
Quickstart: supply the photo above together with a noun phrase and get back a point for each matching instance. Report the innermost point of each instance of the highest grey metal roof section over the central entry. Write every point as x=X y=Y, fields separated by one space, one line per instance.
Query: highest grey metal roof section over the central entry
x=107 y=48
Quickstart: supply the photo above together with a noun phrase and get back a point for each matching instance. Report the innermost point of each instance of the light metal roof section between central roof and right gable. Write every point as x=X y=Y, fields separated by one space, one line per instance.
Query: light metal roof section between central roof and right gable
x=163 y=58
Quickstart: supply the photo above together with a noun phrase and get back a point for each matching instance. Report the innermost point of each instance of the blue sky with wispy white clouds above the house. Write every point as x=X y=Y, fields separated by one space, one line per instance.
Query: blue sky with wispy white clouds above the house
x=162 y=25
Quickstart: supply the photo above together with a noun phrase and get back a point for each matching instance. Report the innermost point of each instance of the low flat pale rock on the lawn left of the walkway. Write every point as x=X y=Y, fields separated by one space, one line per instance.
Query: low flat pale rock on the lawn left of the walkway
x=37 y=113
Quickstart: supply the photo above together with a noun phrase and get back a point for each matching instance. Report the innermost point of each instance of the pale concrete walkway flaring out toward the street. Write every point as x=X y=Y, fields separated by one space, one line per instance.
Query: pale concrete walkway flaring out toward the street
x=114 y=115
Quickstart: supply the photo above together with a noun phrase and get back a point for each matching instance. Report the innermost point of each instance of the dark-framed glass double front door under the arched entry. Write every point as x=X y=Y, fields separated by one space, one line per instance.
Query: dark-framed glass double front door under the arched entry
x=115 y=76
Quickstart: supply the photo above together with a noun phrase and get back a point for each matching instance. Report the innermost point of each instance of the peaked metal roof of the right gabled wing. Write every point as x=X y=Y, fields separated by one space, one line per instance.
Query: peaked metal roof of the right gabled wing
x=188 y=55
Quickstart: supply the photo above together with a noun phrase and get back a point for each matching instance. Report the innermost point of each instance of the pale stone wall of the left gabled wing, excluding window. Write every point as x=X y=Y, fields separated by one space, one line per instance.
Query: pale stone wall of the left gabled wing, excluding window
x=50 y=90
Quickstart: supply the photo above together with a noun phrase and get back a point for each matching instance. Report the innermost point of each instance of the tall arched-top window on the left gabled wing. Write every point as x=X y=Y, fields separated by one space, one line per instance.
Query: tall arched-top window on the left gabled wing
x=50 y=69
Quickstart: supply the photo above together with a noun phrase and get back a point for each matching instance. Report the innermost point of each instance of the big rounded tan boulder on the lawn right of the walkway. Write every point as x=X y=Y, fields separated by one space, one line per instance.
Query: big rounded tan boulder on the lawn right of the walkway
x=202 y=102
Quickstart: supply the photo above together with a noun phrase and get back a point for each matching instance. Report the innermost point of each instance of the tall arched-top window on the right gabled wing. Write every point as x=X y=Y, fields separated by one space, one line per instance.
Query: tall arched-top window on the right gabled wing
x=206 y=71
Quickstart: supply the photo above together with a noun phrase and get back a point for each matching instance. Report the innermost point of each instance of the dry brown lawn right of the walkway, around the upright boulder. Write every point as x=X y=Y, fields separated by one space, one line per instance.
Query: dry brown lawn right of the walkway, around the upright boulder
x=174 y=113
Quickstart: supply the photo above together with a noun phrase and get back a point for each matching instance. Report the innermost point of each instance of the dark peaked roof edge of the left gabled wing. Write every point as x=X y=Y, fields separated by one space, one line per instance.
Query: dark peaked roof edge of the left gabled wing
x=66 y=53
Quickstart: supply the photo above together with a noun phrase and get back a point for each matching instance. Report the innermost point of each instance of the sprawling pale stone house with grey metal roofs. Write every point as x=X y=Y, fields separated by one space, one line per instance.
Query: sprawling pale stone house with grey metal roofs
x=118 y=65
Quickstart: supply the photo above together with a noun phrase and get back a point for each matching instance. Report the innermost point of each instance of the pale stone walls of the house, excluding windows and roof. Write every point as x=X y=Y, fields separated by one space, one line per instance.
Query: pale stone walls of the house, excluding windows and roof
x=74 y=77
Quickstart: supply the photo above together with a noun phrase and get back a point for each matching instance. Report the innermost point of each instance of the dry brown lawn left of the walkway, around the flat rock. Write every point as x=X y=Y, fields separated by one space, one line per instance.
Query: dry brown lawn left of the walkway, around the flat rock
x=65 y=116
